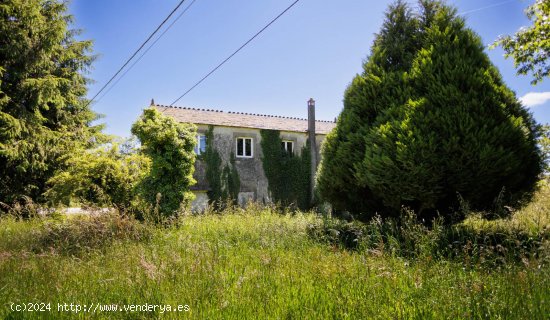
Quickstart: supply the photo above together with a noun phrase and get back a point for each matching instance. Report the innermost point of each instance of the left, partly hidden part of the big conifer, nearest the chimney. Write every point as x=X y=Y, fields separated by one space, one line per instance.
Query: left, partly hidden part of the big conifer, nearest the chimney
x=368 y=95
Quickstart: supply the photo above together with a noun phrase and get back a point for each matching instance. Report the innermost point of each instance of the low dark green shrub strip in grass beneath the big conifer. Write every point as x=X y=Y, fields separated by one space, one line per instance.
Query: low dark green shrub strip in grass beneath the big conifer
x=408 y=238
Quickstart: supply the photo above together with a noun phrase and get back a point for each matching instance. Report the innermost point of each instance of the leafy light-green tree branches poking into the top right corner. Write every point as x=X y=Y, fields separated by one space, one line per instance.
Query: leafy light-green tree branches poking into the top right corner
x=530 y=47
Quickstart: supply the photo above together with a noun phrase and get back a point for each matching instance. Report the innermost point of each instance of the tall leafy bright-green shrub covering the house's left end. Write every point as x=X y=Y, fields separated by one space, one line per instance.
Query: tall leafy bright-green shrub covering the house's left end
x=169 y=145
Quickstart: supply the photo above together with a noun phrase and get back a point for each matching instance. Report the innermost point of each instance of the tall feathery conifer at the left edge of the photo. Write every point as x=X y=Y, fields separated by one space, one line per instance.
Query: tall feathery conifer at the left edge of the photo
x=43 y=111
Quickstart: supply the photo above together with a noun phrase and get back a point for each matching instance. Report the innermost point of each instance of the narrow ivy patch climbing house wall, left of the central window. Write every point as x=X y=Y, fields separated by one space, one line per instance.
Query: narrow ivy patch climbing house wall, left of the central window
x=224 y=184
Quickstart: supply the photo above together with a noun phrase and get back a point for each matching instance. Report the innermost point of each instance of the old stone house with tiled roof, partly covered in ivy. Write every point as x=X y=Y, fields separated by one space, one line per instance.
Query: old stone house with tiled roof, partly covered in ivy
x=238 y=135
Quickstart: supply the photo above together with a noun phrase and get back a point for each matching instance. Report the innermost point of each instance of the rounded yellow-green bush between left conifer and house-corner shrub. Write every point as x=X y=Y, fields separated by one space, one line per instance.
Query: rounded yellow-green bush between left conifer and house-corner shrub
x=105 y=176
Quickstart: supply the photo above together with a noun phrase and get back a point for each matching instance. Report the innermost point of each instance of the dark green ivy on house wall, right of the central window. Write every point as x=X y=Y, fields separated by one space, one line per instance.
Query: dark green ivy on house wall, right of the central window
x=288 y=175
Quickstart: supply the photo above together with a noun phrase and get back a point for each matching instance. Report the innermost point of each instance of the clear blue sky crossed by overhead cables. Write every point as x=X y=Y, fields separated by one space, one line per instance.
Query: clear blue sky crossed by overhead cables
x=312 y=51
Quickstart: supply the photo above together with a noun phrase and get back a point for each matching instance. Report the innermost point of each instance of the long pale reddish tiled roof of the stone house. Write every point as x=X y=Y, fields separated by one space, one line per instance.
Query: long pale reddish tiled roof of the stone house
x=243 y=120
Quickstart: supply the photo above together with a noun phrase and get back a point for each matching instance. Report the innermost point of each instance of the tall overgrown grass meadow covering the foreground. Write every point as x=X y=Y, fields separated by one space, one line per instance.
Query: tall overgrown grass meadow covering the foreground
x=262 y=264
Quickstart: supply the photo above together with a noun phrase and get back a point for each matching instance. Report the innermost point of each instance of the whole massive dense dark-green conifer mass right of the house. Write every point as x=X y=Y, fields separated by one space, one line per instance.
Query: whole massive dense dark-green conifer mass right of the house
x=421 y=132
